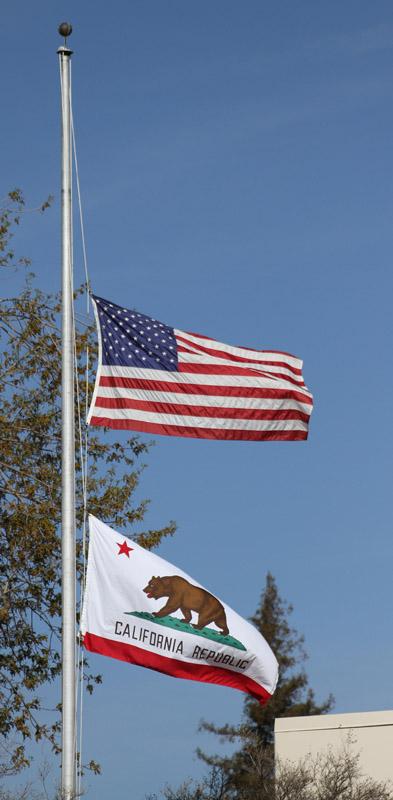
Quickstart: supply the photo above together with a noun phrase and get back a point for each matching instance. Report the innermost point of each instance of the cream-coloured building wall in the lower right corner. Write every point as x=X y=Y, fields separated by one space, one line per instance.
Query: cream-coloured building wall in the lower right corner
x=370 y=734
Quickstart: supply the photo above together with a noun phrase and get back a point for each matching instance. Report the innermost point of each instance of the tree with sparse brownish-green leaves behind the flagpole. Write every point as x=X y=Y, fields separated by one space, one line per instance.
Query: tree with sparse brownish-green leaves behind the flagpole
x=30 y=501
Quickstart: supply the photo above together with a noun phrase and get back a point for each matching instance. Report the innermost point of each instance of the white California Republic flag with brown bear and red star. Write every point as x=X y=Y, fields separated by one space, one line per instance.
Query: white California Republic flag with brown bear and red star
x=141 y=609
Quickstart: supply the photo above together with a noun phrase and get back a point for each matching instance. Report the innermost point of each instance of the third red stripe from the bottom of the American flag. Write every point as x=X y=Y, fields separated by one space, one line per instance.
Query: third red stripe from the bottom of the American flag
x=196 y=388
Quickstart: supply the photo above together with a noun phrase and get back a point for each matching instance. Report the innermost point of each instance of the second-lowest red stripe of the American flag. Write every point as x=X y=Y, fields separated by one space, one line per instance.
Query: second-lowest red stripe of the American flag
x=200 y=411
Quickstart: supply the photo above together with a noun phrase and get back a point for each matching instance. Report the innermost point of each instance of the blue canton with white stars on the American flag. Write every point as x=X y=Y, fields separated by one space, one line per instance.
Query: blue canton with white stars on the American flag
x=130 y=339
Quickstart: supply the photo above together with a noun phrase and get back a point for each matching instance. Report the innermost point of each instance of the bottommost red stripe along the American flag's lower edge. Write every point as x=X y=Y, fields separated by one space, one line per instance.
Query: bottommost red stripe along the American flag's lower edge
x=199 y=433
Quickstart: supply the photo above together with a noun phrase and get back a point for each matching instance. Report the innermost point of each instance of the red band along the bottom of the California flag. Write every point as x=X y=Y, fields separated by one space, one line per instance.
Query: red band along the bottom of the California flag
x=171 y=666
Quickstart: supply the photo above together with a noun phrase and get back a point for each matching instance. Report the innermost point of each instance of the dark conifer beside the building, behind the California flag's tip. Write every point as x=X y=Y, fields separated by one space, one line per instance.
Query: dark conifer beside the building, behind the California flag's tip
x=245 y=769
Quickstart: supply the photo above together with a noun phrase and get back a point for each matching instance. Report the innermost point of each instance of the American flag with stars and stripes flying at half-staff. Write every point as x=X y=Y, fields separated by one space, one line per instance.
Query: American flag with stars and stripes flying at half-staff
x=157 y=379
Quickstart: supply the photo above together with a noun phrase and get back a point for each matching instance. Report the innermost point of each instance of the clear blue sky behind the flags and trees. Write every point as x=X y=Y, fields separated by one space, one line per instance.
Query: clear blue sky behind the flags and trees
x=236 y=171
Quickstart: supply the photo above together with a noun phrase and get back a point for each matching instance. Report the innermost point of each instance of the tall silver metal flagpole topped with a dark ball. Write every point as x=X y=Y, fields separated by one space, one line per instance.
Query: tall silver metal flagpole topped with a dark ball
x=68 y=439
